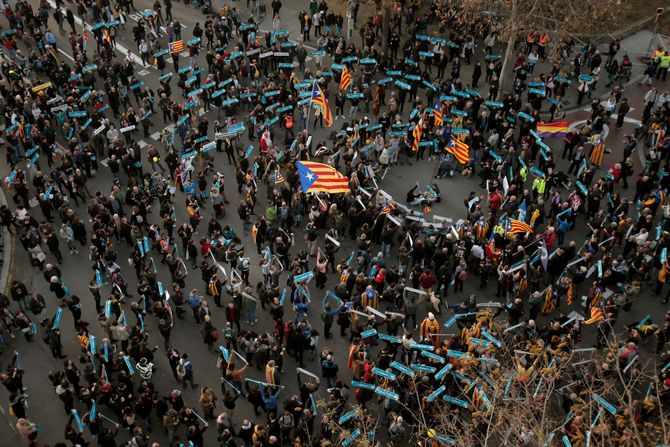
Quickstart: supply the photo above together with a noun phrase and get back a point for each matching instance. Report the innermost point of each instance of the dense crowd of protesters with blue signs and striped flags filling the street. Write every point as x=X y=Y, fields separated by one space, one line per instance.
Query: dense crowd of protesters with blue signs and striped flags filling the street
x=434 y=358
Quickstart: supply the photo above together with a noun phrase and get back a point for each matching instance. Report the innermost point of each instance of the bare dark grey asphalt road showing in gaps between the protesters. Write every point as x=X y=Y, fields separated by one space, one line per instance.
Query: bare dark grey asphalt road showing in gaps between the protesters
x=47 y=410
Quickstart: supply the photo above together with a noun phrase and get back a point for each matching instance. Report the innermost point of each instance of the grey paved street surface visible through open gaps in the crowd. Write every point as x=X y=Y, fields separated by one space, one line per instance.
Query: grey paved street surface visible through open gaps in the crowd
x=45 y=407
